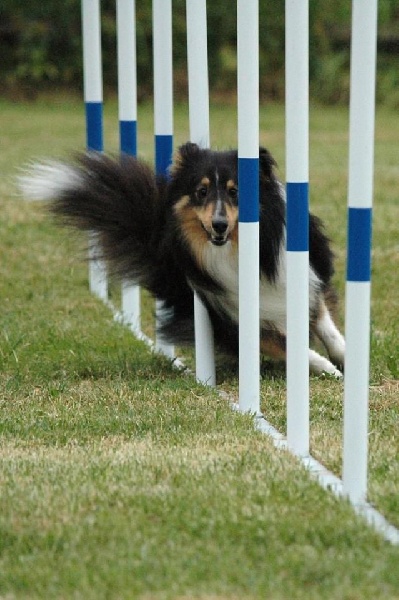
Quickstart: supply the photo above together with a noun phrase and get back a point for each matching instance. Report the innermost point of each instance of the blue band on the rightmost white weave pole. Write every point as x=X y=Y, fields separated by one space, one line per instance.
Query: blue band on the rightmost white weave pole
x=359 y=244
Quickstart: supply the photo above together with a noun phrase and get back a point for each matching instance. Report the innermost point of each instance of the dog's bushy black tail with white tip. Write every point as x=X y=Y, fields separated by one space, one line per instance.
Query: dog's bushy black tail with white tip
x=118 y=199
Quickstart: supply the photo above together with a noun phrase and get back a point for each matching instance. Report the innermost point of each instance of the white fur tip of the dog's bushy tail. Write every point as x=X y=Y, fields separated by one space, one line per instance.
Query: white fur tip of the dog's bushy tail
x=48 y=180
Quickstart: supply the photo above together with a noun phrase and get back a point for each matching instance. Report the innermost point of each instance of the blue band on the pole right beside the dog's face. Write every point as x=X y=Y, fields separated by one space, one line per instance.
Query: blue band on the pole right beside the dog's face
x=248 y=182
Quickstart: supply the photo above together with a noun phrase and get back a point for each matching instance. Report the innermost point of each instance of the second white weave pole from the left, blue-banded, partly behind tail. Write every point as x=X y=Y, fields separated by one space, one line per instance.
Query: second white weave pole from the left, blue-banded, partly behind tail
x=127 y=106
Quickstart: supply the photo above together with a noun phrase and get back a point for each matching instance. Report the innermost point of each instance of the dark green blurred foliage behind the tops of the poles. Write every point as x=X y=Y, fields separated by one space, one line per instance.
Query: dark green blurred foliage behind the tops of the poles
x=40 y=46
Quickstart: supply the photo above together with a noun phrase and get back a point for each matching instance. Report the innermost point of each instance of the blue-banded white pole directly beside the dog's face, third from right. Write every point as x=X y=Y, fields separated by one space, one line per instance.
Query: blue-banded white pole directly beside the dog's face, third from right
x=248 y=181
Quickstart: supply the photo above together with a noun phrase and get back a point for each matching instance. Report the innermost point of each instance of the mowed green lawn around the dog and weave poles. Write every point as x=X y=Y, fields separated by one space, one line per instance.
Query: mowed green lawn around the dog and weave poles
x=120 y=477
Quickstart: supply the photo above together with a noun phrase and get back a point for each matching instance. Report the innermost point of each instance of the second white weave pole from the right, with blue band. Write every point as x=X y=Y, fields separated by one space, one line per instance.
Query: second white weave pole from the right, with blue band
x=297 y=176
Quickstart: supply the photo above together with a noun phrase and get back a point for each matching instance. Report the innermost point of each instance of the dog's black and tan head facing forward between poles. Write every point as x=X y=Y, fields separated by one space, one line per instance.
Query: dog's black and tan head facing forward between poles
x=205 y=192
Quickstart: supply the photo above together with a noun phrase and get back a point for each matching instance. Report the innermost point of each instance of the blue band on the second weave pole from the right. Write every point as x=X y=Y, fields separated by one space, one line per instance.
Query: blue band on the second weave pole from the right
x=298 y=217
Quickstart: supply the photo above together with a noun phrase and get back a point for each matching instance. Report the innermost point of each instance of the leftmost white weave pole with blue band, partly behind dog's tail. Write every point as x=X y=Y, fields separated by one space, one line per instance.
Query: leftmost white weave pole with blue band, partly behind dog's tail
x=93 y=98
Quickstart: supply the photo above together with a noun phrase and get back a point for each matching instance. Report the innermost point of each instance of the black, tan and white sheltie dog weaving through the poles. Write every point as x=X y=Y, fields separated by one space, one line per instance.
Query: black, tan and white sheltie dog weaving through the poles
x=180 y=234
